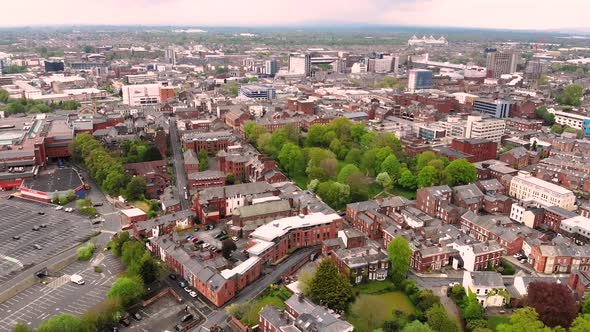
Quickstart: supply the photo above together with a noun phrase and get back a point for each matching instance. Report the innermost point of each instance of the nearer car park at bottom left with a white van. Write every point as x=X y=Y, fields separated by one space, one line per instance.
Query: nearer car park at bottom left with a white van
x=60 y=295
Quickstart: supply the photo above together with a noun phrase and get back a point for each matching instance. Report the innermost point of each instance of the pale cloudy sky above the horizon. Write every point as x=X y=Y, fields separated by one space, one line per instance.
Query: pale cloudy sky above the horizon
x=505 y=14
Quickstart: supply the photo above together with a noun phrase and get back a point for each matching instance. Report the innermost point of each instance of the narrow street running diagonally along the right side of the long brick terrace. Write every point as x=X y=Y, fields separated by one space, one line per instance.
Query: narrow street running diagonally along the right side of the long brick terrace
x=219 y=317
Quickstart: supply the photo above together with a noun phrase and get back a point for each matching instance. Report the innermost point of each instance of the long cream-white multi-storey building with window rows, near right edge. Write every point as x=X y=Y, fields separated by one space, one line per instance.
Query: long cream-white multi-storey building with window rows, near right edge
x=525 y=186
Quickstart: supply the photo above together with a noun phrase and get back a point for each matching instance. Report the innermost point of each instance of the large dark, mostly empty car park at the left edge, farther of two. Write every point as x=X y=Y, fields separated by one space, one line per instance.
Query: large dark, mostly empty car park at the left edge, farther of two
x=17 y=219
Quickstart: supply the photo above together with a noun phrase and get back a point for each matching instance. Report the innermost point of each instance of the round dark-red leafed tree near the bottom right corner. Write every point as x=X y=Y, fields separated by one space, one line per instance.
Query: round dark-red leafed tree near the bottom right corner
x=553 y=302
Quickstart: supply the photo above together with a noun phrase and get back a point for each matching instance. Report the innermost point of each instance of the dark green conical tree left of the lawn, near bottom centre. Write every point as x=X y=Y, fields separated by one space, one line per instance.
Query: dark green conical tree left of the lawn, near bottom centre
x=329 y=287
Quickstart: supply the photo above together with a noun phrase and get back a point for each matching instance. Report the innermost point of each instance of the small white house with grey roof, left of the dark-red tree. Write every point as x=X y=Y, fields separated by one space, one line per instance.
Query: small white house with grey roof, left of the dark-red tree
x=487 y=286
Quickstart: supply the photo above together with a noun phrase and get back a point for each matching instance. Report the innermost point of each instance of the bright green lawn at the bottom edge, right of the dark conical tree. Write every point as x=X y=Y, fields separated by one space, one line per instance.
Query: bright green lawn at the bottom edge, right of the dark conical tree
x=369 y=312
